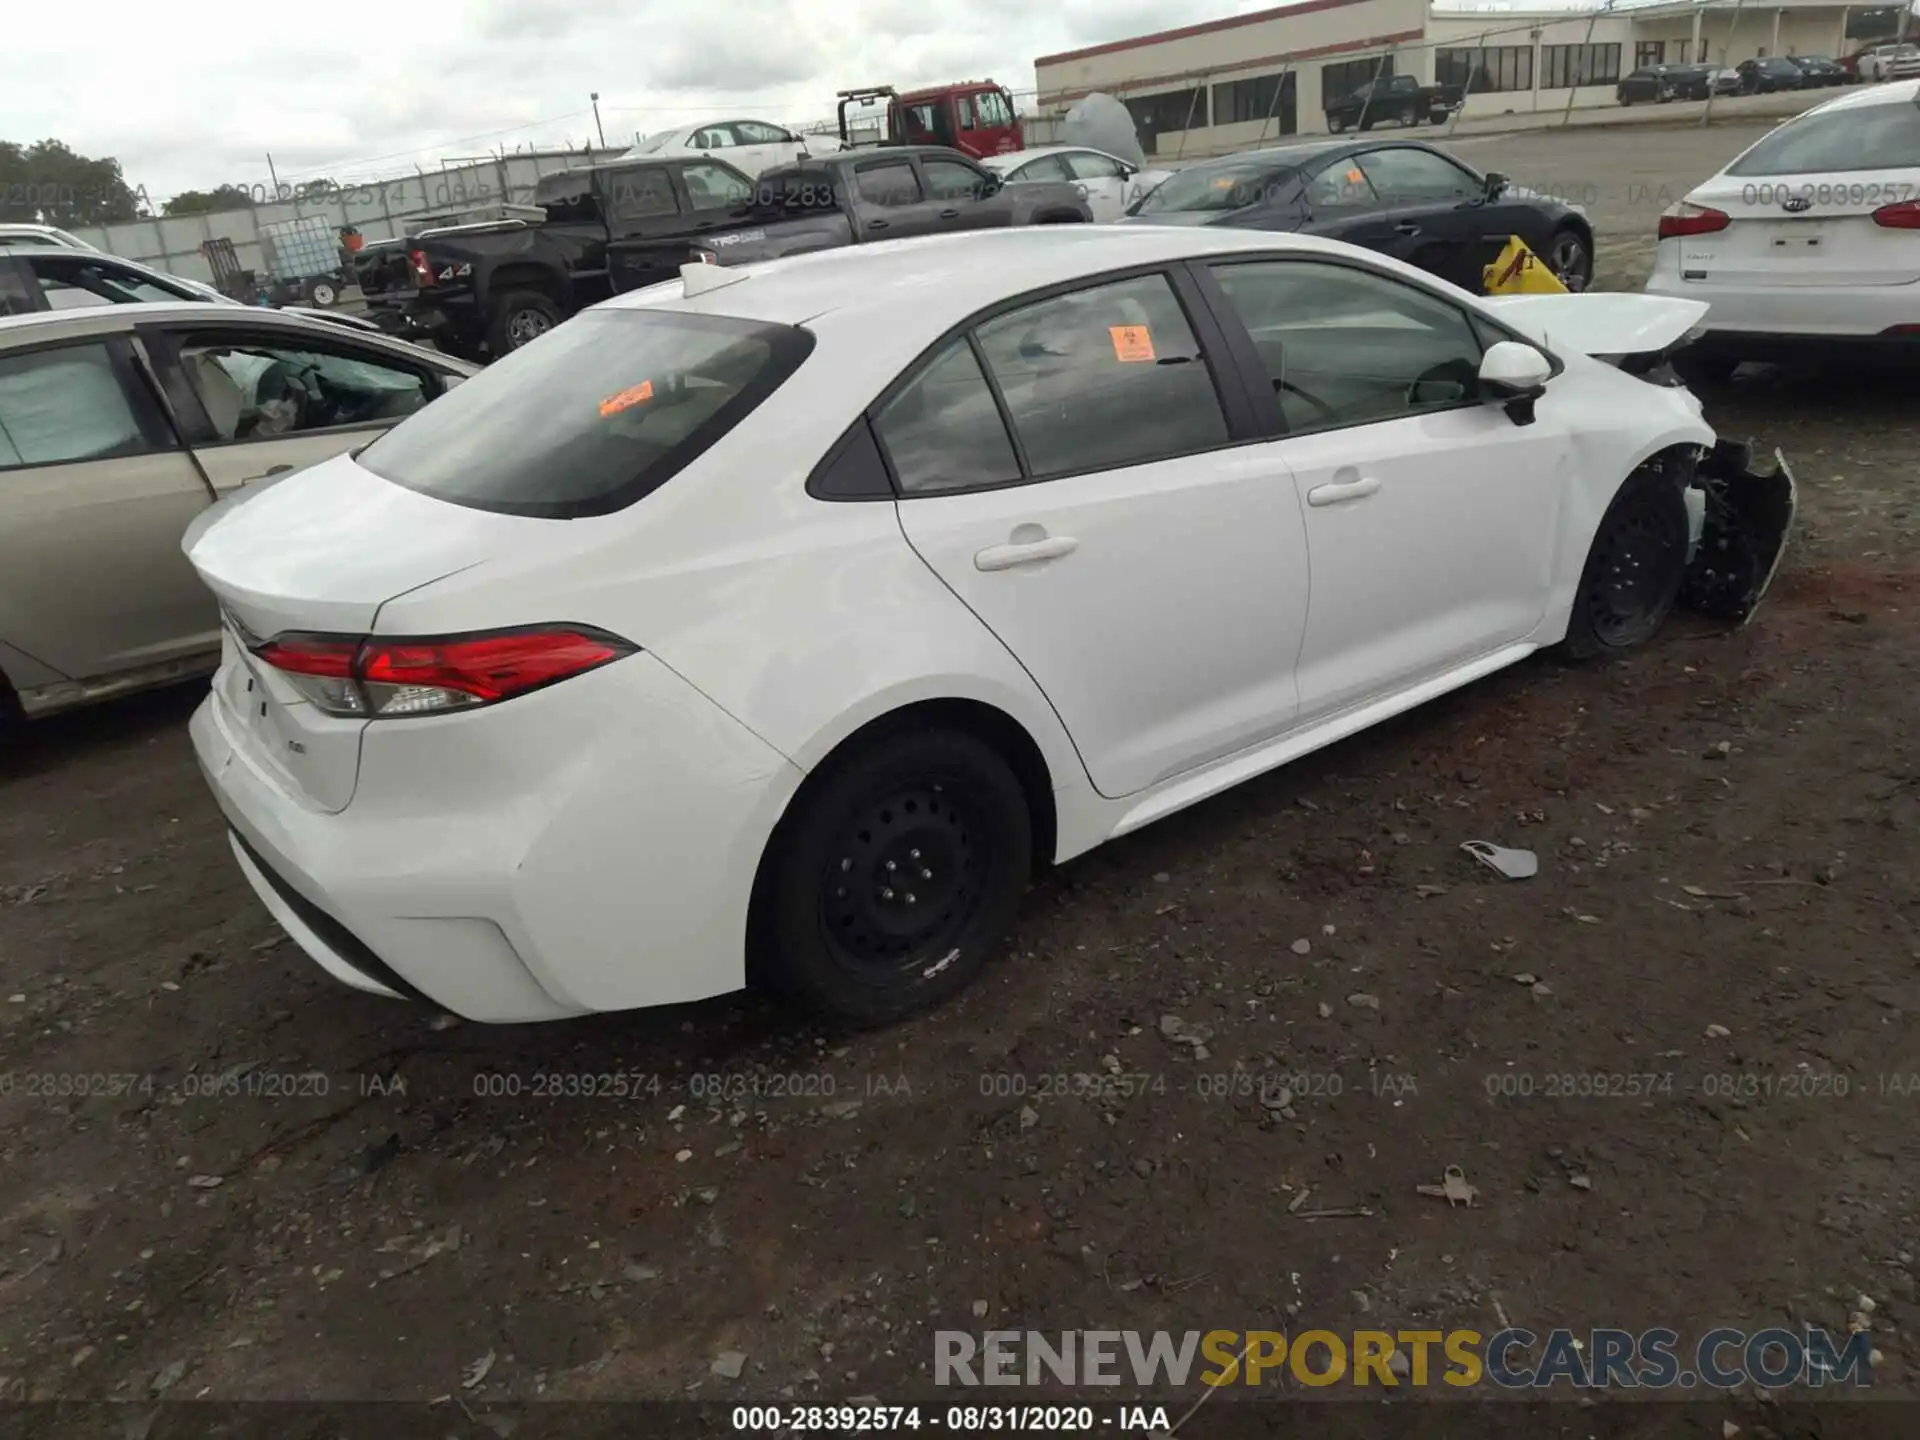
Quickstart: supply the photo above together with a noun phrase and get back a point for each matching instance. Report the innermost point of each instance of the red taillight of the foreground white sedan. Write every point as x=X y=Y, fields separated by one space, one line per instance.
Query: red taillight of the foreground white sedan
x=381 y=677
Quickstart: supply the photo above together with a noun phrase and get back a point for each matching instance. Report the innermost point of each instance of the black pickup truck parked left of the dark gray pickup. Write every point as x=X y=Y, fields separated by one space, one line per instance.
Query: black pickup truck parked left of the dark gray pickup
x=494 y=287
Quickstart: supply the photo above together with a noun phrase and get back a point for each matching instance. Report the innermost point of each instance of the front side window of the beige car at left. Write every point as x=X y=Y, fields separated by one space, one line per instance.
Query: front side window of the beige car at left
x=258 y=389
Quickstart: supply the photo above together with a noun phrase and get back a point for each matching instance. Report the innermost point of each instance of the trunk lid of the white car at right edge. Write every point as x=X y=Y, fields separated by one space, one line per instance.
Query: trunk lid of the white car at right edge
x=1794 y=231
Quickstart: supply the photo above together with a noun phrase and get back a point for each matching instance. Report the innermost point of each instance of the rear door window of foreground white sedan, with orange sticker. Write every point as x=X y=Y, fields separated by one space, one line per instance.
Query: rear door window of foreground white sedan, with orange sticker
x=1105 y=377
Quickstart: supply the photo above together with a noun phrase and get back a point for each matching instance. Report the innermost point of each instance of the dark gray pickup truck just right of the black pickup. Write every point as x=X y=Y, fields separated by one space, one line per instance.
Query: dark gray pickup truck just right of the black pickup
x=850 y=199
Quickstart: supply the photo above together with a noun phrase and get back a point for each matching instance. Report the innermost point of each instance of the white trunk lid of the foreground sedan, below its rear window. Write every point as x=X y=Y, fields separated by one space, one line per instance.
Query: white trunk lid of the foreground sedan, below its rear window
x=322 y=552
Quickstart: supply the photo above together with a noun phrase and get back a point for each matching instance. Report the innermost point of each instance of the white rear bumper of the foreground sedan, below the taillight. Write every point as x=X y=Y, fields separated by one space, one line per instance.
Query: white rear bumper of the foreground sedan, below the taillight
x=552 y=857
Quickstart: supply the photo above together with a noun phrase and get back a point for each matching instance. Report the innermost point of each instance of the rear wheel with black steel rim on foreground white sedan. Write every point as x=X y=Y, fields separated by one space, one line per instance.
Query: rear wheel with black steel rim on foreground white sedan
x=942 y=802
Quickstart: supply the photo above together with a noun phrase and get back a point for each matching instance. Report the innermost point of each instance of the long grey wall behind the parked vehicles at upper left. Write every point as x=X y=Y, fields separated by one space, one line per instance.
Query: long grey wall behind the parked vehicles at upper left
x=379 y=208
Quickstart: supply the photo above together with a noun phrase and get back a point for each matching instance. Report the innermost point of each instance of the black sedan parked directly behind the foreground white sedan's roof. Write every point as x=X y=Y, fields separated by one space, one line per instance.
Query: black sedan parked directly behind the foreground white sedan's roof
x=1399 y=197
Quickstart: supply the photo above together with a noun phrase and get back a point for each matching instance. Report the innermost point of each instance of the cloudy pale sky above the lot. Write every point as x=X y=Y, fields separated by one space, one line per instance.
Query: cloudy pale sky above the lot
x=191 y=97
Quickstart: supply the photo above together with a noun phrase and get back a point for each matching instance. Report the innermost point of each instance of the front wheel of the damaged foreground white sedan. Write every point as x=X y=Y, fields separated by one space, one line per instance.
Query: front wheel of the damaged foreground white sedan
x=1635 y=569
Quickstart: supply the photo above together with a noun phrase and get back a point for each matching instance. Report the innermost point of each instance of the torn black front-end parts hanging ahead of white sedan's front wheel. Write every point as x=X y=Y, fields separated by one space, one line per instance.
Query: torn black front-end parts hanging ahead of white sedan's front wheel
x=1742 y=533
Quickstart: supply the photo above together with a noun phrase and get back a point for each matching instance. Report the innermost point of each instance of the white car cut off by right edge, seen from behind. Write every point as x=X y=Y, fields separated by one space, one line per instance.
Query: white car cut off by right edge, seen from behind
x=1810 y=241
